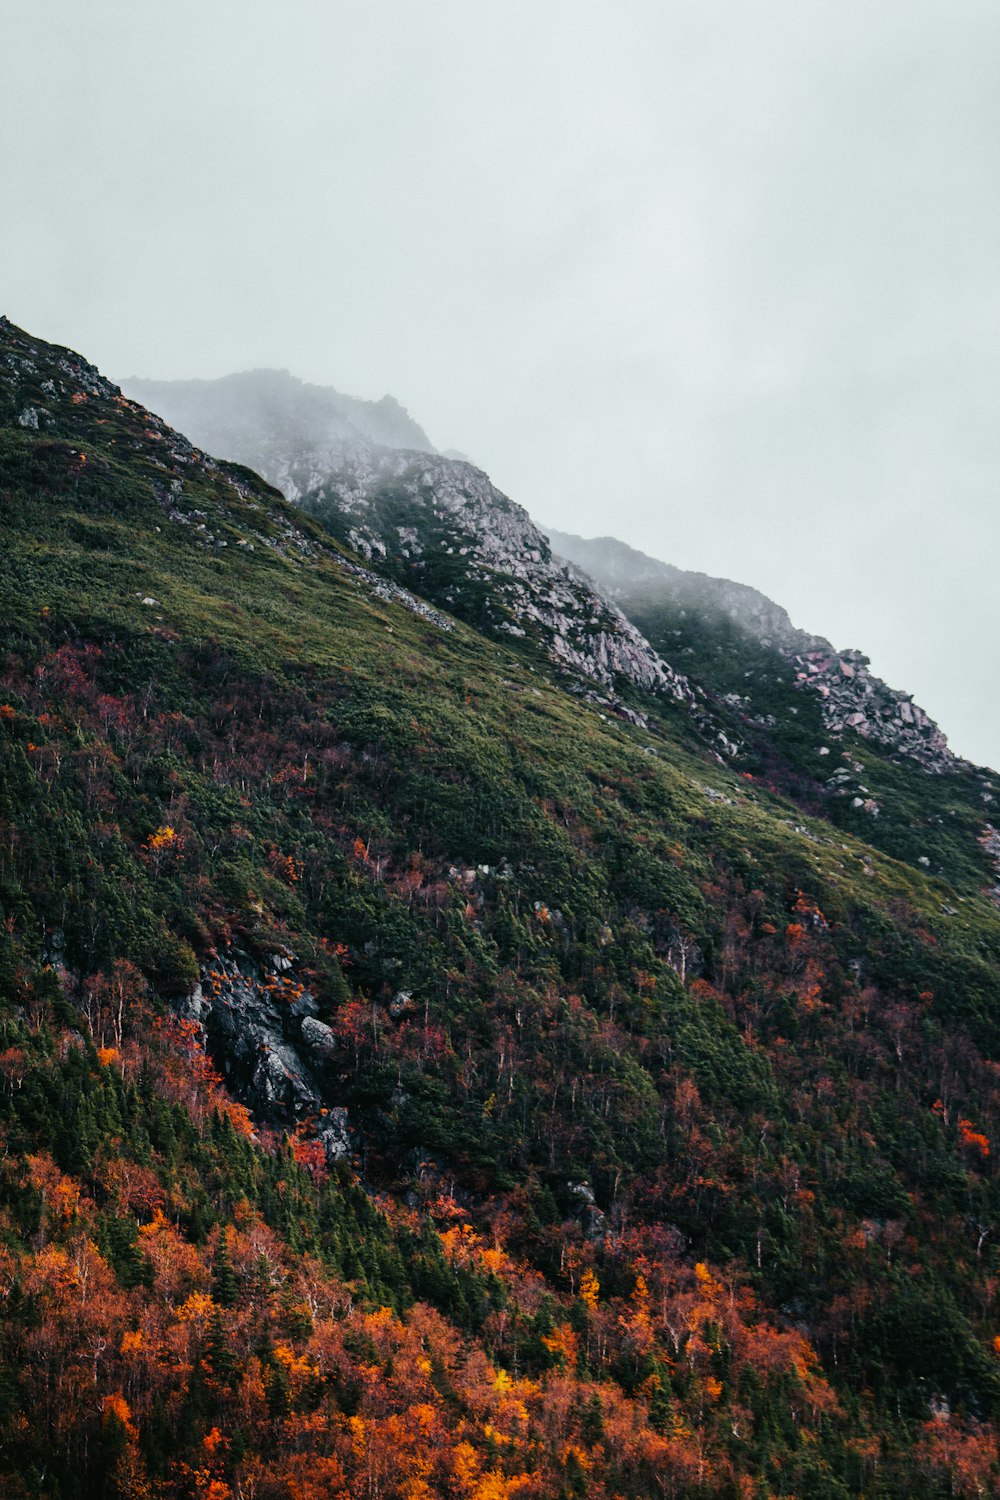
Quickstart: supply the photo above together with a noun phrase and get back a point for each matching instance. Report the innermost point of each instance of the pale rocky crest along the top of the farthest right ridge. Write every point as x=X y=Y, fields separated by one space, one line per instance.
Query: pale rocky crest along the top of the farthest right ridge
x=851 y=697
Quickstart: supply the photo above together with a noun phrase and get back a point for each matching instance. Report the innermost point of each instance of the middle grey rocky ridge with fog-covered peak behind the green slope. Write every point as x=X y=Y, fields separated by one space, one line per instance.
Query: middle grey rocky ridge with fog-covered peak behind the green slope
x=436 y=526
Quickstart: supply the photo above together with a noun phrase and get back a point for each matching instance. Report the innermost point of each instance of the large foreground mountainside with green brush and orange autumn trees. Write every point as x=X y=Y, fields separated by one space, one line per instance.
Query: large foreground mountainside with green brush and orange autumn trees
x=418 y=1079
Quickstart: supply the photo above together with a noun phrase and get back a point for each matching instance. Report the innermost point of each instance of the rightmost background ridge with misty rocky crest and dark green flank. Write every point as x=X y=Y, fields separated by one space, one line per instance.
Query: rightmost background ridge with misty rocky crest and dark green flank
x=812 y=722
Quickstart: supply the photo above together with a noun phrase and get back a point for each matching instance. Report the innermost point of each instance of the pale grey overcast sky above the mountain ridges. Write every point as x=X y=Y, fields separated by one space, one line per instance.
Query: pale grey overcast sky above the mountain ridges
x=722 y=280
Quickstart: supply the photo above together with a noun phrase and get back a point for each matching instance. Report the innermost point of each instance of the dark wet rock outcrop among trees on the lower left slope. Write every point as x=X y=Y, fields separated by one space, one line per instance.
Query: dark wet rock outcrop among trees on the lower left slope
x=262 y=1031
